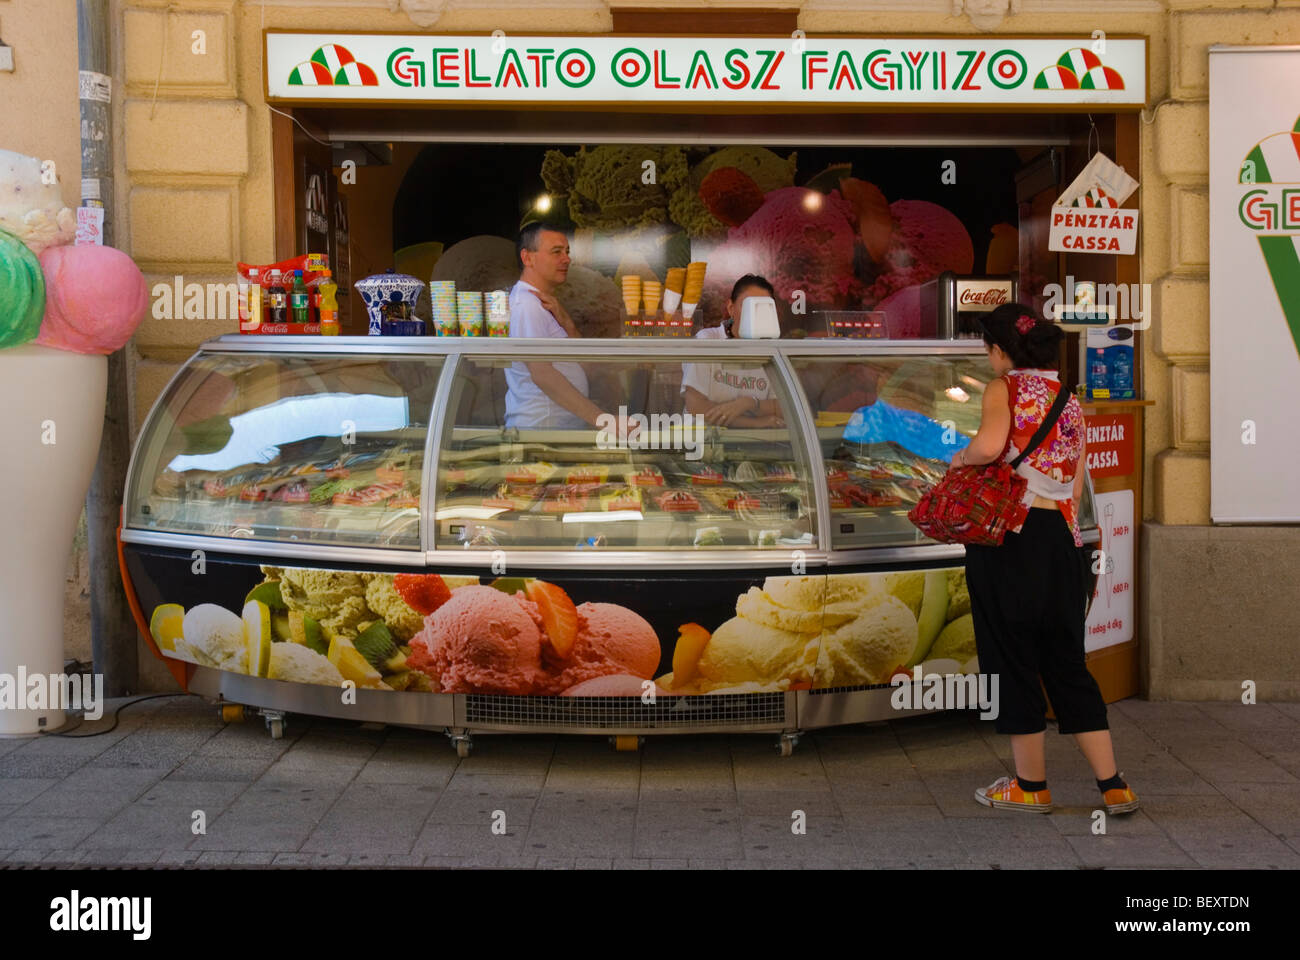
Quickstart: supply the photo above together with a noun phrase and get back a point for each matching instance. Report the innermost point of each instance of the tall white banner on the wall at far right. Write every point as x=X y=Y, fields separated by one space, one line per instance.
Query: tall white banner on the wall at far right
x=1255 y=284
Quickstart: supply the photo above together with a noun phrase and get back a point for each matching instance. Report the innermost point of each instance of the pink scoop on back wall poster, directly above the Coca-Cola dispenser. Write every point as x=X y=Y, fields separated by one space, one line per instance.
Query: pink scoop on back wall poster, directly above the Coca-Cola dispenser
x=928 y=240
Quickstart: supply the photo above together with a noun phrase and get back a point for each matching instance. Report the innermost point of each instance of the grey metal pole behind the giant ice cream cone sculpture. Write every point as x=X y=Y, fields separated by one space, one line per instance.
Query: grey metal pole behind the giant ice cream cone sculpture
x=114 y=642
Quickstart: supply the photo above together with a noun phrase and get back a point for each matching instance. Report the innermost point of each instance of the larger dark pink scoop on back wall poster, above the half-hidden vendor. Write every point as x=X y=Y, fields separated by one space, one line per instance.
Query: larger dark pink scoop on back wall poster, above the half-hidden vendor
x=800 y=240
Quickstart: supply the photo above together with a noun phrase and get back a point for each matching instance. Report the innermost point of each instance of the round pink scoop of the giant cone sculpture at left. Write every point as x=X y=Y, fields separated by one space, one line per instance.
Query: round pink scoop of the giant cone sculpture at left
x=96 y=299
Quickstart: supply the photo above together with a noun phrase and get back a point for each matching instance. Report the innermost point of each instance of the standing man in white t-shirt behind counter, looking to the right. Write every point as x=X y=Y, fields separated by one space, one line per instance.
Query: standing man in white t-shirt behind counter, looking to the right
x=549 y=395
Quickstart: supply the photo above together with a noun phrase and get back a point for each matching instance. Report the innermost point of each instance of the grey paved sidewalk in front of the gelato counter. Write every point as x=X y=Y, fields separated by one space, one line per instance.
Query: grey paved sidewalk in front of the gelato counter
x=1220 y=786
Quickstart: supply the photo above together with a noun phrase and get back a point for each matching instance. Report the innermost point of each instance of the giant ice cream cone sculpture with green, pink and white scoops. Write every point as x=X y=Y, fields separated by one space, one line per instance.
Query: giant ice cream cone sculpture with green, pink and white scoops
x=63 y=309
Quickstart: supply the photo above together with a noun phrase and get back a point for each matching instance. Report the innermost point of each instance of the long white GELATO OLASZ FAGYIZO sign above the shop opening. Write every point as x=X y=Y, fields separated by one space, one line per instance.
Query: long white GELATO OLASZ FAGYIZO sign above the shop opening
x=395 y=68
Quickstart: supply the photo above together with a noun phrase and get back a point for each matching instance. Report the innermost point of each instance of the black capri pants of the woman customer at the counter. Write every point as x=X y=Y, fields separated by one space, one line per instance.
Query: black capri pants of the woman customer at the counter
x=1028 y=603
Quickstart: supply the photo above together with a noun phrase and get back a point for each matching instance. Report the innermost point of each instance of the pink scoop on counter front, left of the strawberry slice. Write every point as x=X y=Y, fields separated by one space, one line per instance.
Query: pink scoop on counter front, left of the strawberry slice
x=480 y=642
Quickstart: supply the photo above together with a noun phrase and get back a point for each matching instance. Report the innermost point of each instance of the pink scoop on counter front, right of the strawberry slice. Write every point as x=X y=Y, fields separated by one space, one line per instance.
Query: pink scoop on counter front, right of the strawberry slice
x=612 y=639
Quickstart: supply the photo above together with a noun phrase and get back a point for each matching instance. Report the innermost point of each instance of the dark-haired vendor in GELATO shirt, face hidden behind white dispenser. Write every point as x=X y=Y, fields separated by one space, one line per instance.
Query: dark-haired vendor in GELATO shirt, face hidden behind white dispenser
x=727 y=395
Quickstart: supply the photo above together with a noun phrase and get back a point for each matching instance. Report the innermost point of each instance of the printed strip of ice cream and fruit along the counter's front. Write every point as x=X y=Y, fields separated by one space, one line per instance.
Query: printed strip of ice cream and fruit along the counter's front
x=526 y=637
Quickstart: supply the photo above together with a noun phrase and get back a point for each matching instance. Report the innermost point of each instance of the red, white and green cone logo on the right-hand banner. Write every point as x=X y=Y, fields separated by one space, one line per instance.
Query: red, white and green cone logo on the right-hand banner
x=1272 y=209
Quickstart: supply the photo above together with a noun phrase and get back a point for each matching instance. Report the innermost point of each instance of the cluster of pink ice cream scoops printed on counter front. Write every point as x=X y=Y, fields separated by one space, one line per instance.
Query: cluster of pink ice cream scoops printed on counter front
x=488 y=642
